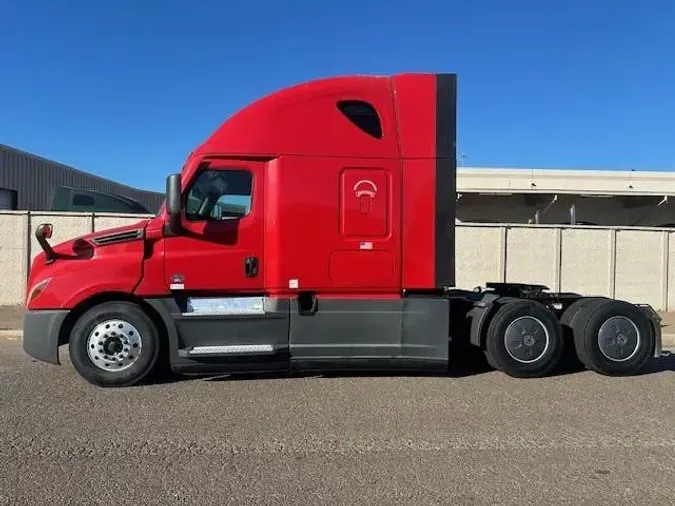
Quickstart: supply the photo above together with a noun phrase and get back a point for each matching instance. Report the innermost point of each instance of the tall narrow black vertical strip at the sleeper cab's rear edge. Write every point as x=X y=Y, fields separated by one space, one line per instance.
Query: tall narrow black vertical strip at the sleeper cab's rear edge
x=446 y=173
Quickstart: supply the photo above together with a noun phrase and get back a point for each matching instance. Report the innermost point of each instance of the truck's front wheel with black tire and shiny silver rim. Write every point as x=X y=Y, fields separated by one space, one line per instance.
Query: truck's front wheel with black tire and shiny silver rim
x=119 y=334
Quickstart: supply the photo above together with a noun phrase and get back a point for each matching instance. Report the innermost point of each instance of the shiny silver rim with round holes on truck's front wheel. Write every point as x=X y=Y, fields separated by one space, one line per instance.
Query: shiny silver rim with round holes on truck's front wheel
x=114 y=345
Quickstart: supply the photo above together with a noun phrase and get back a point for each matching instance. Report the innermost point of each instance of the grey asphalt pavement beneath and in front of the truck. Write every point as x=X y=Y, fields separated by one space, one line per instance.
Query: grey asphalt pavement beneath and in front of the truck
x=478 y=438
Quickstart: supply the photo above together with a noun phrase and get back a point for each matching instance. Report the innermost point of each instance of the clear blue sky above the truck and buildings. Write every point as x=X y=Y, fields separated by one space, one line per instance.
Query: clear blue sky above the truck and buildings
x=126 y=89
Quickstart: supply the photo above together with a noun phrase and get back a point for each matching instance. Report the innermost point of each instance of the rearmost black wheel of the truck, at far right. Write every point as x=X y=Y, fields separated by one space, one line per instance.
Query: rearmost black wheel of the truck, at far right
x=613 y=338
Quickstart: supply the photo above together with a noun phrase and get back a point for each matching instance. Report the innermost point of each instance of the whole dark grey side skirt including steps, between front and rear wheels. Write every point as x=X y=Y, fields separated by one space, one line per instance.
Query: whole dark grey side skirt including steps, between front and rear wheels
x=306 y=334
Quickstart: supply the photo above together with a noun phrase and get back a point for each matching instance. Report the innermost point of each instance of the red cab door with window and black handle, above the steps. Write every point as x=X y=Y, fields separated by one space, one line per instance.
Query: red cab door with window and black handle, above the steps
x=219 y=249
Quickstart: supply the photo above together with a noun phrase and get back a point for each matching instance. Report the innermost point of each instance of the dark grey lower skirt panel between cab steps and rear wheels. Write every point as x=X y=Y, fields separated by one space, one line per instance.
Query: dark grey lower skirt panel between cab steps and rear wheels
x=371 y=334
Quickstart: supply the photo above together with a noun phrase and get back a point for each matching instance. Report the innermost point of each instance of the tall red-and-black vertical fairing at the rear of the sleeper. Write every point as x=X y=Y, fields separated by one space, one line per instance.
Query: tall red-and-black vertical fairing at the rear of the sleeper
x=426 y=111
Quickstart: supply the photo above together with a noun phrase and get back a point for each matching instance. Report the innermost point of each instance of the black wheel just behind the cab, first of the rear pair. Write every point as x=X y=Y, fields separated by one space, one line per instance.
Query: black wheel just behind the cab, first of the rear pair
x=524 y=340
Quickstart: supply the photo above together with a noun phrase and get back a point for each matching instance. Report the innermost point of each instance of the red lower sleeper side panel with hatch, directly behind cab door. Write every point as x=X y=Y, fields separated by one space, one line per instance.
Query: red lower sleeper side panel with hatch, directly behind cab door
x=305 y=231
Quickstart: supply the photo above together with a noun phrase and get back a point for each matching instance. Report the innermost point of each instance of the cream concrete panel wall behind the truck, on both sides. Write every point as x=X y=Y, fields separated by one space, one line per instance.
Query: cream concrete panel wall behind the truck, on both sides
x=635 y=264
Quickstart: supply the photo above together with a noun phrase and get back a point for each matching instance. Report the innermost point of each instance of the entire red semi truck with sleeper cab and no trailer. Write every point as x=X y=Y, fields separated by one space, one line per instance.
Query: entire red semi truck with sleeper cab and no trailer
x=314 y=230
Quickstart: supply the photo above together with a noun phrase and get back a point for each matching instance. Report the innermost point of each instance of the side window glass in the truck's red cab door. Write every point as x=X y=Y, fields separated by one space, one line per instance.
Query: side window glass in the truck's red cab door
x=219 y=195
